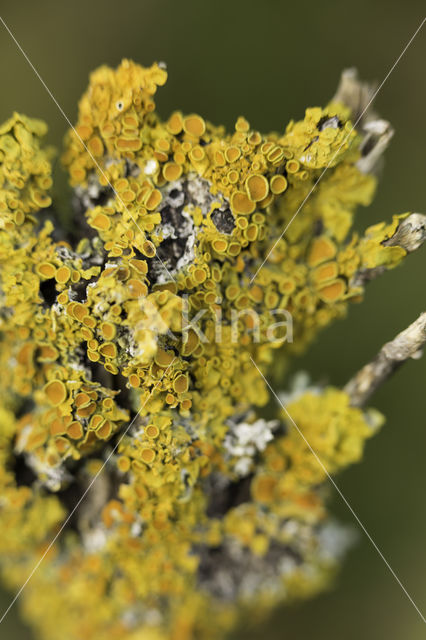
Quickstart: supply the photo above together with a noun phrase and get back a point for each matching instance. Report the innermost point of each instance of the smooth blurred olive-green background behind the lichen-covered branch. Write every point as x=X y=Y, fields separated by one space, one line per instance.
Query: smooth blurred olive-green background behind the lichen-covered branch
x=269 y=60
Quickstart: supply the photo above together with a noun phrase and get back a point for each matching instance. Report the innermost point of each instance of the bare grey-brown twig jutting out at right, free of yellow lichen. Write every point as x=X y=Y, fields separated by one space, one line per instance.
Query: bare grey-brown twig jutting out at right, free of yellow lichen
x=407 y=344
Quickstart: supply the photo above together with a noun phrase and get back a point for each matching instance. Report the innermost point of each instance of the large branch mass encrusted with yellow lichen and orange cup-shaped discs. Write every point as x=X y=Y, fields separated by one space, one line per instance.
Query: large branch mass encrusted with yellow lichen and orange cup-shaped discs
x=126 y=353
